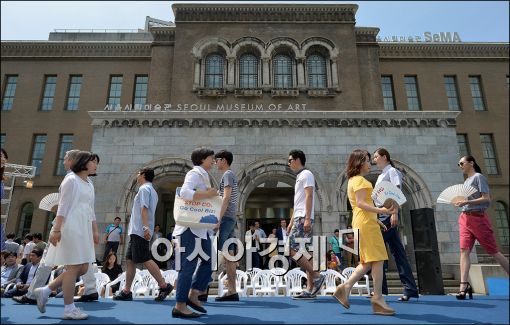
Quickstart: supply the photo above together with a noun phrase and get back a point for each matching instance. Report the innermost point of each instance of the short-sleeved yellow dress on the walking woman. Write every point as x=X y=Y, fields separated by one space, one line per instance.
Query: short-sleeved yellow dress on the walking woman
x=371 y=242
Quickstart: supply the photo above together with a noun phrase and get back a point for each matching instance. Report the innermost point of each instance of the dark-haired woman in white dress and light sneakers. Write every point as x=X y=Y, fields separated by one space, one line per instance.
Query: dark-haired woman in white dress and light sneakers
x=73 y=234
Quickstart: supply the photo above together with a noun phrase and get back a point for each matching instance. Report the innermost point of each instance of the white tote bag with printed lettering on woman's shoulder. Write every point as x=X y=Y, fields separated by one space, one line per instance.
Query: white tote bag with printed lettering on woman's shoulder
x=197 y=214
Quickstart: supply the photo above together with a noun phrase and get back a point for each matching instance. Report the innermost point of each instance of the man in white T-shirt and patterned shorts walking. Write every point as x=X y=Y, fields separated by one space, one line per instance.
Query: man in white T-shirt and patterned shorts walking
x=302 y=219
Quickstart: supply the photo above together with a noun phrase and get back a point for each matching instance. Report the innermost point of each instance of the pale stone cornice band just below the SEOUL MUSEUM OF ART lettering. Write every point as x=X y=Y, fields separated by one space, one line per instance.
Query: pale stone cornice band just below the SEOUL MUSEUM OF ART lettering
x=262 y=119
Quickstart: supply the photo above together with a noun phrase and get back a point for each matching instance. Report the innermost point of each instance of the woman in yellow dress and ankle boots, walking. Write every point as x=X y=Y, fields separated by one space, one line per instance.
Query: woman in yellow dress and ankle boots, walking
x=372 y=251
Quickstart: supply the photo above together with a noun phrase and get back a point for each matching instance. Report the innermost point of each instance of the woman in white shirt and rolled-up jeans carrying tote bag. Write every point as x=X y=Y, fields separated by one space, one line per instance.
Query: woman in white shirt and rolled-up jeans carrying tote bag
x=197 y=186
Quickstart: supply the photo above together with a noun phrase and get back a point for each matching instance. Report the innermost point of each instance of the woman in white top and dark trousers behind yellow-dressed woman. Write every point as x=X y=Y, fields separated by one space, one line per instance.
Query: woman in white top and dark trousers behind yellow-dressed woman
x=391 y=237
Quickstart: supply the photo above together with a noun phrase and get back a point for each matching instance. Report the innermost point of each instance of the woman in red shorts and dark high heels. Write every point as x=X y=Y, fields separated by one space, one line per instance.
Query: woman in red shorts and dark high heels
x=474 y=223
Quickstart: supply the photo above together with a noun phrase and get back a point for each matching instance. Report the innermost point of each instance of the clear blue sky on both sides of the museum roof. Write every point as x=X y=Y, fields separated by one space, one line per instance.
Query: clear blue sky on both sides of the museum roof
x=475 y=21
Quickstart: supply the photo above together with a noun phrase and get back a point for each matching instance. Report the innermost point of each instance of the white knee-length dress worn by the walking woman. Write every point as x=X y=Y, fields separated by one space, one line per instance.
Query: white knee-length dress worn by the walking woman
x=76 y=205
